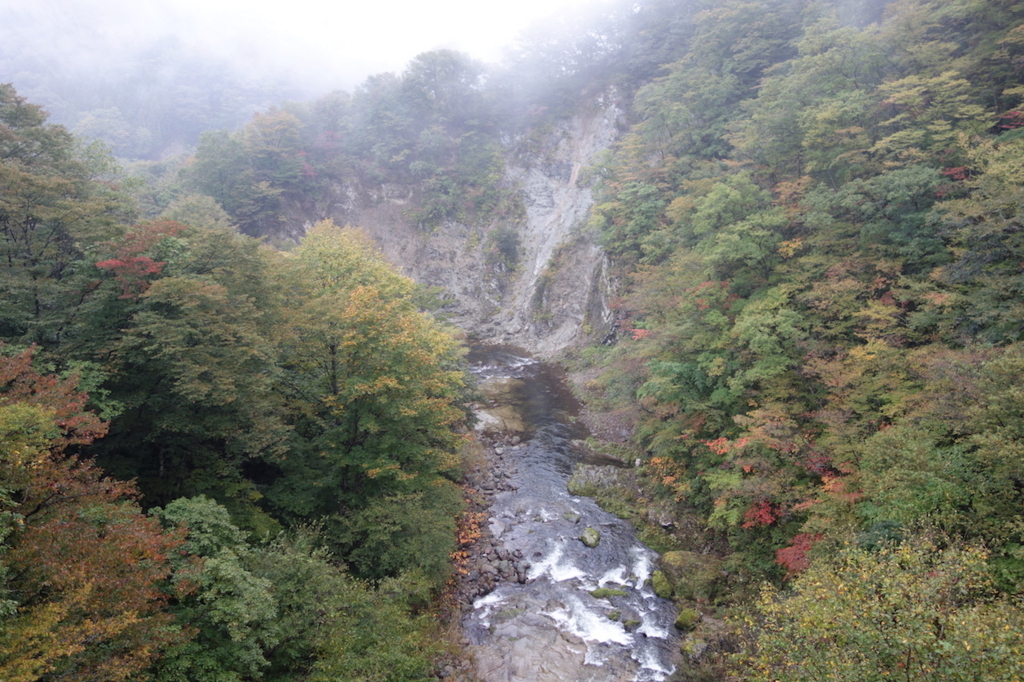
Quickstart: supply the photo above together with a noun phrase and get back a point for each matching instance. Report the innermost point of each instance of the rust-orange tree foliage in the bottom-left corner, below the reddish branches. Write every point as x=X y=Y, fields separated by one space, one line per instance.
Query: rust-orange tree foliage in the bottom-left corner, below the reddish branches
x=91 y=573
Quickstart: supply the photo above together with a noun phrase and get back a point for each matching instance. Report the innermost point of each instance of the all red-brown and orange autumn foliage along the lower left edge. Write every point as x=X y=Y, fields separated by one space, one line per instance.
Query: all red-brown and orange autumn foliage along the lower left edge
x=88 y=571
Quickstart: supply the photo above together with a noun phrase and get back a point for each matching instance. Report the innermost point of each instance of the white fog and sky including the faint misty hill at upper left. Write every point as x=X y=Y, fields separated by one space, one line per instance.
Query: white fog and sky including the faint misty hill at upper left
x=149 y=77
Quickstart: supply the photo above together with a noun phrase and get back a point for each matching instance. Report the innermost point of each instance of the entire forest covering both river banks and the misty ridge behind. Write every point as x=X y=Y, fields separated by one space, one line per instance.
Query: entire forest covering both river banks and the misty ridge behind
x=815 y=215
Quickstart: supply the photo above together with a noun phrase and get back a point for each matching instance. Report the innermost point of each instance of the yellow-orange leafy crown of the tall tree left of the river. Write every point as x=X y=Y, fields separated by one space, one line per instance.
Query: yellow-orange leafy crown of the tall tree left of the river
x=386 y=374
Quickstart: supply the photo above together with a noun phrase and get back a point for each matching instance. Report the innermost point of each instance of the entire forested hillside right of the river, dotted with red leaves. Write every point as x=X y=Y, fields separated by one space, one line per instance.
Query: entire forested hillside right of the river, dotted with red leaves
x=820 y=226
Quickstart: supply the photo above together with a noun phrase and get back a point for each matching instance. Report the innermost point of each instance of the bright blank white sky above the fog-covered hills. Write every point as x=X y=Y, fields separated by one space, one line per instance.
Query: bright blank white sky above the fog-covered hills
x=333 y=44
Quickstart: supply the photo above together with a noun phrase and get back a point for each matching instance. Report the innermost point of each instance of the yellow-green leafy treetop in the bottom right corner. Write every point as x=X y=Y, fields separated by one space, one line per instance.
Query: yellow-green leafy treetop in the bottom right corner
x=913 y=612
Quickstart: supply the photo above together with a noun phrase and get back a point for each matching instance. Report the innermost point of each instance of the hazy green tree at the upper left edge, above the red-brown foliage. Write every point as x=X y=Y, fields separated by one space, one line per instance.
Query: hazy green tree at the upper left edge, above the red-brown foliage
x=53 y=211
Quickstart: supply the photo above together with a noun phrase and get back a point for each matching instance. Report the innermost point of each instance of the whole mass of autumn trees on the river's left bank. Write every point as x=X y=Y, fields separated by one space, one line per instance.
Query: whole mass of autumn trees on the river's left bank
x=275 y=411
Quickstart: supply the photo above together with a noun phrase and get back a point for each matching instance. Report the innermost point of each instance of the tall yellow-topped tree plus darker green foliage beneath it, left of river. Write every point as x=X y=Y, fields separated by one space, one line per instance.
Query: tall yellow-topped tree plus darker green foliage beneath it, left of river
x=374 y=387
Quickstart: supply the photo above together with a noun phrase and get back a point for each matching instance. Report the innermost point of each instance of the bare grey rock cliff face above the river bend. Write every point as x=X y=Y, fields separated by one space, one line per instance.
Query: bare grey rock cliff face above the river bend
x=554 y=293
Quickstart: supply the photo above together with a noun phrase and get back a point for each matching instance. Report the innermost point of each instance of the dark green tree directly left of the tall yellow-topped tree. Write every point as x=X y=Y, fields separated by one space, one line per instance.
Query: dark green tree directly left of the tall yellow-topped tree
x=195 y=365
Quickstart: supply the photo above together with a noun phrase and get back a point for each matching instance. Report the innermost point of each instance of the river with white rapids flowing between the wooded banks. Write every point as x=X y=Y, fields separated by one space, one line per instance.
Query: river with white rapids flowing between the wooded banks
x=547 y=625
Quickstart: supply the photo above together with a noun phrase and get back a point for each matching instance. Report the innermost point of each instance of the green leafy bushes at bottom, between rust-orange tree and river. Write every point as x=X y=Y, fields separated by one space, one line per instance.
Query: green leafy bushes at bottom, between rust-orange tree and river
x=283 y=610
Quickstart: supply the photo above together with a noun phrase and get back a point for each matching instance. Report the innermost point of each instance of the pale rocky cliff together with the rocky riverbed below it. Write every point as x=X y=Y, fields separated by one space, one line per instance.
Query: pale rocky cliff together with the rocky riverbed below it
x=537 y=603
